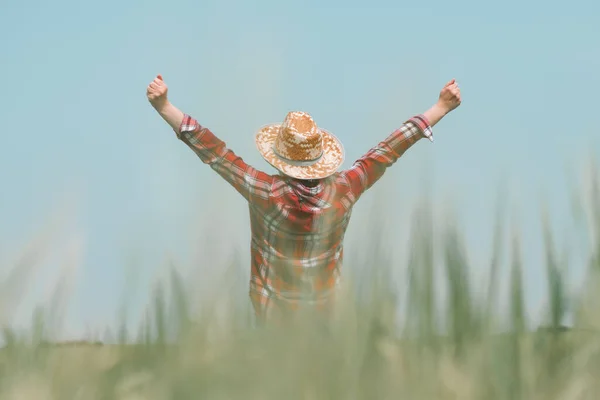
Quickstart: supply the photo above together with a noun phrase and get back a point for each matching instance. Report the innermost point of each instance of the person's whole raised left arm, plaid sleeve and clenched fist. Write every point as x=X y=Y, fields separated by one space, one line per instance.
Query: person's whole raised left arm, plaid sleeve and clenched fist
x=254 y=185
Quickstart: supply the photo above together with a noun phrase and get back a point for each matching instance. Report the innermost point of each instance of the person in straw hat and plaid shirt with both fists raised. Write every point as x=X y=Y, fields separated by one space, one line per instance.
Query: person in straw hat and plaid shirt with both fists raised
x=299 y=215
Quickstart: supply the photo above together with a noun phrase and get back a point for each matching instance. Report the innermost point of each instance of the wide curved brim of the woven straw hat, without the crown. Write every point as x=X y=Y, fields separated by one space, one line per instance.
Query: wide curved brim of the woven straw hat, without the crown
x=327 y=165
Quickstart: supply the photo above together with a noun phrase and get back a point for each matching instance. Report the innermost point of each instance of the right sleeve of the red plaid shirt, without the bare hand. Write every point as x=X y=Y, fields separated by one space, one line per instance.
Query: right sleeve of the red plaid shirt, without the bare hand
x=370 y=168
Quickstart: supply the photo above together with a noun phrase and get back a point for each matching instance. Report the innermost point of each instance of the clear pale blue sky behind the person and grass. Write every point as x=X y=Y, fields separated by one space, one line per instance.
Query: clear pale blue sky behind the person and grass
x=77 y=134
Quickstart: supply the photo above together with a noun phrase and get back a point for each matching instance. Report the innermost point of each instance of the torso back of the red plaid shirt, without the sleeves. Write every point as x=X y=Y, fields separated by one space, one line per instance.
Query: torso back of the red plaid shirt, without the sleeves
x=299 y=236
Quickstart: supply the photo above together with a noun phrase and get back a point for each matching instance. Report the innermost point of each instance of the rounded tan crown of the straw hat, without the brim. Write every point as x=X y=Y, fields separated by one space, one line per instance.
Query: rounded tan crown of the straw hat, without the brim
x=299 y=138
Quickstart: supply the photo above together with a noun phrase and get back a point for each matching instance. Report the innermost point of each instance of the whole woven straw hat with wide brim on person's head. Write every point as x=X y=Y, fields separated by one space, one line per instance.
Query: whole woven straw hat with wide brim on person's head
x=299 y=148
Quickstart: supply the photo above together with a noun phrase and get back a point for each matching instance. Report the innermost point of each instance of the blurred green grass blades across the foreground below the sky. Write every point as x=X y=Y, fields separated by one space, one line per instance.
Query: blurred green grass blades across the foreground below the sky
x=459 y=350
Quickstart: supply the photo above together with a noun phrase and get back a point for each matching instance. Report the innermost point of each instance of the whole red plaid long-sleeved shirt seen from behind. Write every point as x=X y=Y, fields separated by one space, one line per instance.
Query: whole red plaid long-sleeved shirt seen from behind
x=297 y=230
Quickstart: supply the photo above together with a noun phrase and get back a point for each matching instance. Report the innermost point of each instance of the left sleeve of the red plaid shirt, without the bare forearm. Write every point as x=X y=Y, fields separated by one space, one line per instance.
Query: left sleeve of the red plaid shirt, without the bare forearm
x=253 y=184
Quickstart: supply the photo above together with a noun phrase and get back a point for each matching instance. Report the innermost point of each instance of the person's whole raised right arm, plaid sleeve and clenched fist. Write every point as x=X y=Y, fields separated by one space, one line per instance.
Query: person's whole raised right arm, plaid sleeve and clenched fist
x=370 y=168
